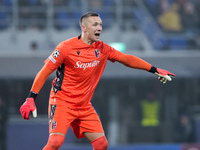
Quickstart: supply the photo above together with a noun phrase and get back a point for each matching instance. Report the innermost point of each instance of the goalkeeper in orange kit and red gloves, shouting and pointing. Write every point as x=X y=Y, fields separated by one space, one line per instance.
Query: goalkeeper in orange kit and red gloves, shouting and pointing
x=79 y=63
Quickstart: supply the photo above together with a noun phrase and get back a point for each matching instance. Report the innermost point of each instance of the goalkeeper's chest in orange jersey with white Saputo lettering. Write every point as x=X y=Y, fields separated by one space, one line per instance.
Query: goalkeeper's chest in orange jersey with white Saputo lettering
x=85 y=63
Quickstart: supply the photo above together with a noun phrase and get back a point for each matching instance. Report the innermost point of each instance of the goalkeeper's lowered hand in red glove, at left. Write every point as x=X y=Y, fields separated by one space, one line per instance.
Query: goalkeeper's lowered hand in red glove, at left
x=28 y=105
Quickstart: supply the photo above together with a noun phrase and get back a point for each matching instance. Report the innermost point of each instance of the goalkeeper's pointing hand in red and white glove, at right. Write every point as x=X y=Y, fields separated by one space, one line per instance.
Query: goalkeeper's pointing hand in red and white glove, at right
x=164 y=75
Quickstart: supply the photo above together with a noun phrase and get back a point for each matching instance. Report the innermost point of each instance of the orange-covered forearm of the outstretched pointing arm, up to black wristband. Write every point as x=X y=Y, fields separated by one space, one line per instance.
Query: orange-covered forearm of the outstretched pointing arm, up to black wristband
x=134 y=62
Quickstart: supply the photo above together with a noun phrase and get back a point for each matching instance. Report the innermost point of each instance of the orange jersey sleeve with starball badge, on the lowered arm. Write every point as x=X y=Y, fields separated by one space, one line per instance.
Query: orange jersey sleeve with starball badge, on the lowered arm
x=57 y=57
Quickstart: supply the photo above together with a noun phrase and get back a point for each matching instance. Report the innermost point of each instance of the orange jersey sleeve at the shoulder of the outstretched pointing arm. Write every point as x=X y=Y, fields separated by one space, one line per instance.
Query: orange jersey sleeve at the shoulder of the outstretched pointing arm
x=113 y=53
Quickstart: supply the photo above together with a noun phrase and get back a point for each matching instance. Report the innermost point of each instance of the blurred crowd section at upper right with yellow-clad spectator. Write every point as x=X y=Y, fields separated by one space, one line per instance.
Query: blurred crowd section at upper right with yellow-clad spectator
x=180 y=19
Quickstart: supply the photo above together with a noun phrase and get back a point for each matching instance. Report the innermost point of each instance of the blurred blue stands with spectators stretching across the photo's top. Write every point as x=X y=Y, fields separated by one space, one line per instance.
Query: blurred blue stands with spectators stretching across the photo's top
x=179 y=17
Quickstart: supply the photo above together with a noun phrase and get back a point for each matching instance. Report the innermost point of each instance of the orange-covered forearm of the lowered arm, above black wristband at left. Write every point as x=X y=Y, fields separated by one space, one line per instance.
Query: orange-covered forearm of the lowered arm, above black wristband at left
x=40 y=78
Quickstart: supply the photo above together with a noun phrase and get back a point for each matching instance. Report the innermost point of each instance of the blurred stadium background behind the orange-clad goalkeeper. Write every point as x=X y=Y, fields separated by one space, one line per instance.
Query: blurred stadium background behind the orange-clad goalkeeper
x=166 y=33
